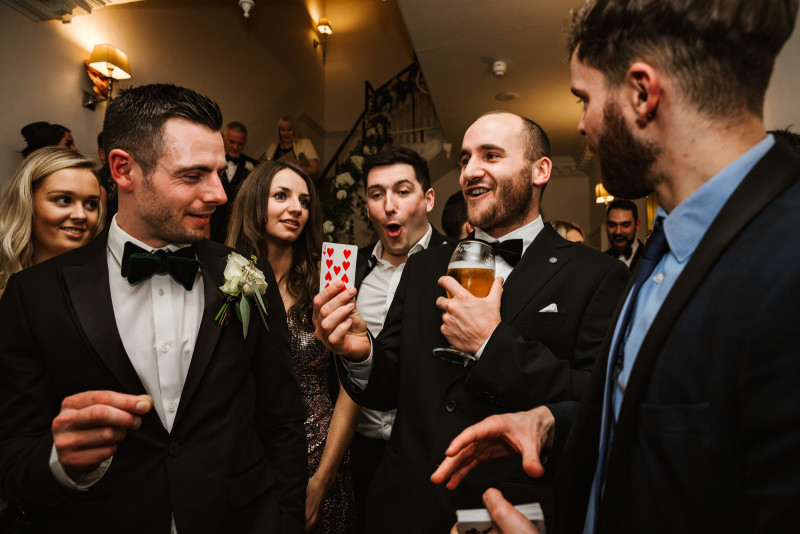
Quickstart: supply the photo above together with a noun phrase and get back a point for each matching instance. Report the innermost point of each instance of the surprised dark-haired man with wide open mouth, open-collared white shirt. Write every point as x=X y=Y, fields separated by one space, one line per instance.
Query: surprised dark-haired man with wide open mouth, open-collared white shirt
x=399 y=197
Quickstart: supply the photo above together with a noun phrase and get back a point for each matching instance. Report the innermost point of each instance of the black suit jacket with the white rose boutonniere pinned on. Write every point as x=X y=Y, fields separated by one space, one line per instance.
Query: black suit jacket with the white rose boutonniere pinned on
x=235 y=458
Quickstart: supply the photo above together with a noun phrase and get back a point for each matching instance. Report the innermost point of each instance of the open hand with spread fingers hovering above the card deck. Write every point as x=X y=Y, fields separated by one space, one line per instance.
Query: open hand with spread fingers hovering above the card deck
x=498 y=436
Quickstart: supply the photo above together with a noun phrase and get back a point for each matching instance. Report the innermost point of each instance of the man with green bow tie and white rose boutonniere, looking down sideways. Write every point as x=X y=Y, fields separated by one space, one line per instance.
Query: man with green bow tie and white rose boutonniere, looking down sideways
x=124 y=405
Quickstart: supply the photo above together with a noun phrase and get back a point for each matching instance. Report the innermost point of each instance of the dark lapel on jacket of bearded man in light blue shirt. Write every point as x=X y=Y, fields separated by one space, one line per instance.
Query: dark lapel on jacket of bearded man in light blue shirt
x=776 y=172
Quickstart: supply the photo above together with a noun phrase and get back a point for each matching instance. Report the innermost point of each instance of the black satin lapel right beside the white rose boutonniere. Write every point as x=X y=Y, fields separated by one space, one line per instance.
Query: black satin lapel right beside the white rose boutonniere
x=212 y=268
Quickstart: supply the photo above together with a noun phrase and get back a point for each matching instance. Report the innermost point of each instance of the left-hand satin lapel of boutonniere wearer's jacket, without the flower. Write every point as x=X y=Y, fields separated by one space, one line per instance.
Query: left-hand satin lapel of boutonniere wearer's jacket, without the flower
x=90 y=296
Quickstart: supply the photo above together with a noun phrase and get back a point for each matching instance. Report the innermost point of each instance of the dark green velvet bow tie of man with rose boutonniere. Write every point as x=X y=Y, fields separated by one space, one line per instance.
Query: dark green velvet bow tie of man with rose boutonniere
x=138 y=264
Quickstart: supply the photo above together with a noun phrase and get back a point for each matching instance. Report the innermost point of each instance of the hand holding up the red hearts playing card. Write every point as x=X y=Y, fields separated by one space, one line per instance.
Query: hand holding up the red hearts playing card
x=337 y=323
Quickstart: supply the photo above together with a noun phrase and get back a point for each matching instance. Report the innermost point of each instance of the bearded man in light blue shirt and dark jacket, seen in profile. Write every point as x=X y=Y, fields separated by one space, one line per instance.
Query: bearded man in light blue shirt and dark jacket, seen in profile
x=695 y=401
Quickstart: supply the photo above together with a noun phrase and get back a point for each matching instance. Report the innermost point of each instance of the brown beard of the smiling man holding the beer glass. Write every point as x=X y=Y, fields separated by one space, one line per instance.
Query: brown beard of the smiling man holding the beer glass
x=514 y=197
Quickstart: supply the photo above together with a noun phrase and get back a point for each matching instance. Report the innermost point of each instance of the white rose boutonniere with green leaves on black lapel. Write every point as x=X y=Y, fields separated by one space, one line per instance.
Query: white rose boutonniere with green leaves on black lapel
x=244 y=284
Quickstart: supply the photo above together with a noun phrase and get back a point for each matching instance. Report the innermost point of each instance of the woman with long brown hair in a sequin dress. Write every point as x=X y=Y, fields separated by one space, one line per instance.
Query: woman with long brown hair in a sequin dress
x=276 y=215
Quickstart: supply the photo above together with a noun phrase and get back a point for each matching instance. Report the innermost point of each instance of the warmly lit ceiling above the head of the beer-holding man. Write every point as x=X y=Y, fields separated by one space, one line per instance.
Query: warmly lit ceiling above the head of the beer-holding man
x=456 y=42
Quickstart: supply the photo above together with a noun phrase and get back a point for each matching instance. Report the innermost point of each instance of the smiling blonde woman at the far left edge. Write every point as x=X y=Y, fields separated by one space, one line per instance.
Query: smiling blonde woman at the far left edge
x=50 y=205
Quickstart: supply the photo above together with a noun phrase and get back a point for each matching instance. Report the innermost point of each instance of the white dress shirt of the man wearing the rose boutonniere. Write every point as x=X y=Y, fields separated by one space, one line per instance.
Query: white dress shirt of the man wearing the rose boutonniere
x=158 y=322
